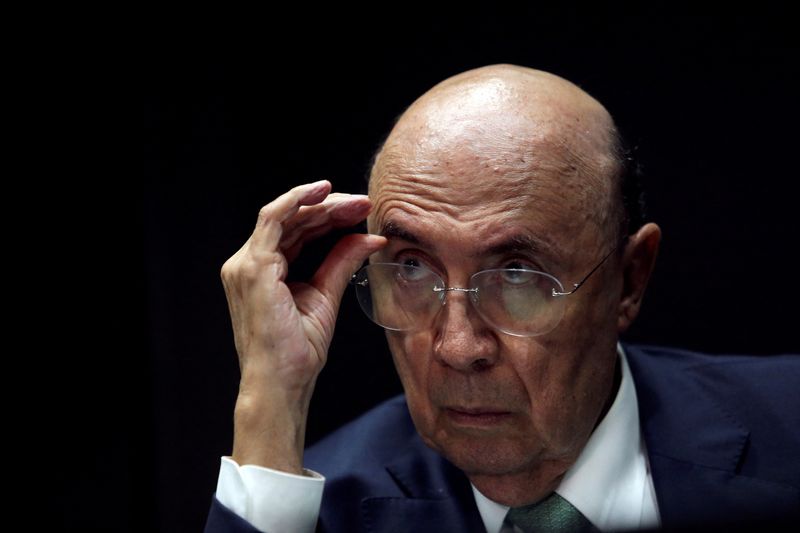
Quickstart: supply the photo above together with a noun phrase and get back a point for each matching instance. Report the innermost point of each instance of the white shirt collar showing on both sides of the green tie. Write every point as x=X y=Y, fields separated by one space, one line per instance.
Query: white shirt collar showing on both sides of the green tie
x=610 y=464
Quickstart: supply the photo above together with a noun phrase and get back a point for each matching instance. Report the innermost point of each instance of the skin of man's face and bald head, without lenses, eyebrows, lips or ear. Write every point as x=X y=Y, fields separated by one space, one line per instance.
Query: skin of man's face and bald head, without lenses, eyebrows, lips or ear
x=501 y=151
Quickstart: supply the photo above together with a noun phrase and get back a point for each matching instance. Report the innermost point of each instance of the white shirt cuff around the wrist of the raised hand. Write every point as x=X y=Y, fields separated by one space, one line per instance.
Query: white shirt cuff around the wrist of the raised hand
x=269 y=499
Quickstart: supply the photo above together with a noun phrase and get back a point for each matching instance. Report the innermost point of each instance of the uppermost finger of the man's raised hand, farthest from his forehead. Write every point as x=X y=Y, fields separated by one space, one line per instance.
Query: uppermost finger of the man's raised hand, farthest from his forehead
x=269 y=227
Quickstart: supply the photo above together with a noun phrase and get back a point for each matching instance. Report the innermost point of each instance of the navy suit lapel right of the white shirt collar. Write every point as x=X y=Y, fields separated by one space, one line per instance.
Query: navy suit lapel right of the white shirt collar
x=695 y=447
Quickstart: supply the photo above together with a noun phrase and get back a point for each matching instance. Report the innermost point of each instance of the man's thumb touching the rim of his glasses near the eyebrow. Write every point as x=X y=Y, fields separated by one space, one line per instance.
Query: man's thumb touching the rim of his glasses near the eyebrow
x=334 y=273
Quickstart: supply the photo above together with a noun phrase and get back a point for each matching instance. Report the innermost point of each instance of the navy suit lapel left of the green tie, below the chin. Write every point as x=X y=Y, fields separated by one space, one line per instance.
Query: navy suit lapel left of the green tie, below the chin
x=437 y=497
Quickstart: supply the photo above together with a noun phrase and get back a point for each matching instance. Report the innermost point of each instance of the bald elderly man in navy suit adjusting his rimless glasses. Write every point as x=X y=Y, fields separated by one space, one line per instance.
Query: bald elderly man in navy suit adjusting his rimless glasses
x=505 y=261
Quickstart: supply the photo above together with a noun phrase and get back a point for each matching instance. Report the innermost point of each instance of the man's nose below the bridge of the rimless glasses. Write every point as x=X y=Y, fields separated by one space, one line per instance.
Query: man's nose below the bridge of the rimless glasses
x=463 y=341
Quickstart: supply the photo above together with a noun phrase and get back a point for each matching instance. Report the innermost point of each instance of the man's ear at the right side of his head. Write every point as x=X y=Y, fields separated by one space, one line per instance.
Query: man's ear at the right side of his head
x=638 y=262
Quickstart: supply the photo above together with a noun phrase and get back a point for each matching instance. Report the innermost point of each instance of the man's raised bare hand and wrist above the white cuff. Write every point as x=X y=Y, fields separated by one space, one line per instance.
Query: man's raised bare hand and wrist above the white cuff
x=282 y=332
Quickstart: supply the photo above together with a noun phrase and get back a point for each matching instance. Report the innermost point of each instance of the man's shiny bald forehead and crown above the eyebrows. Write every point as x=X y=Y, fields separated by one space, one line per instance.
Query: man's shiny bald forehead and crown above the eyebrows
x=471 y=156
